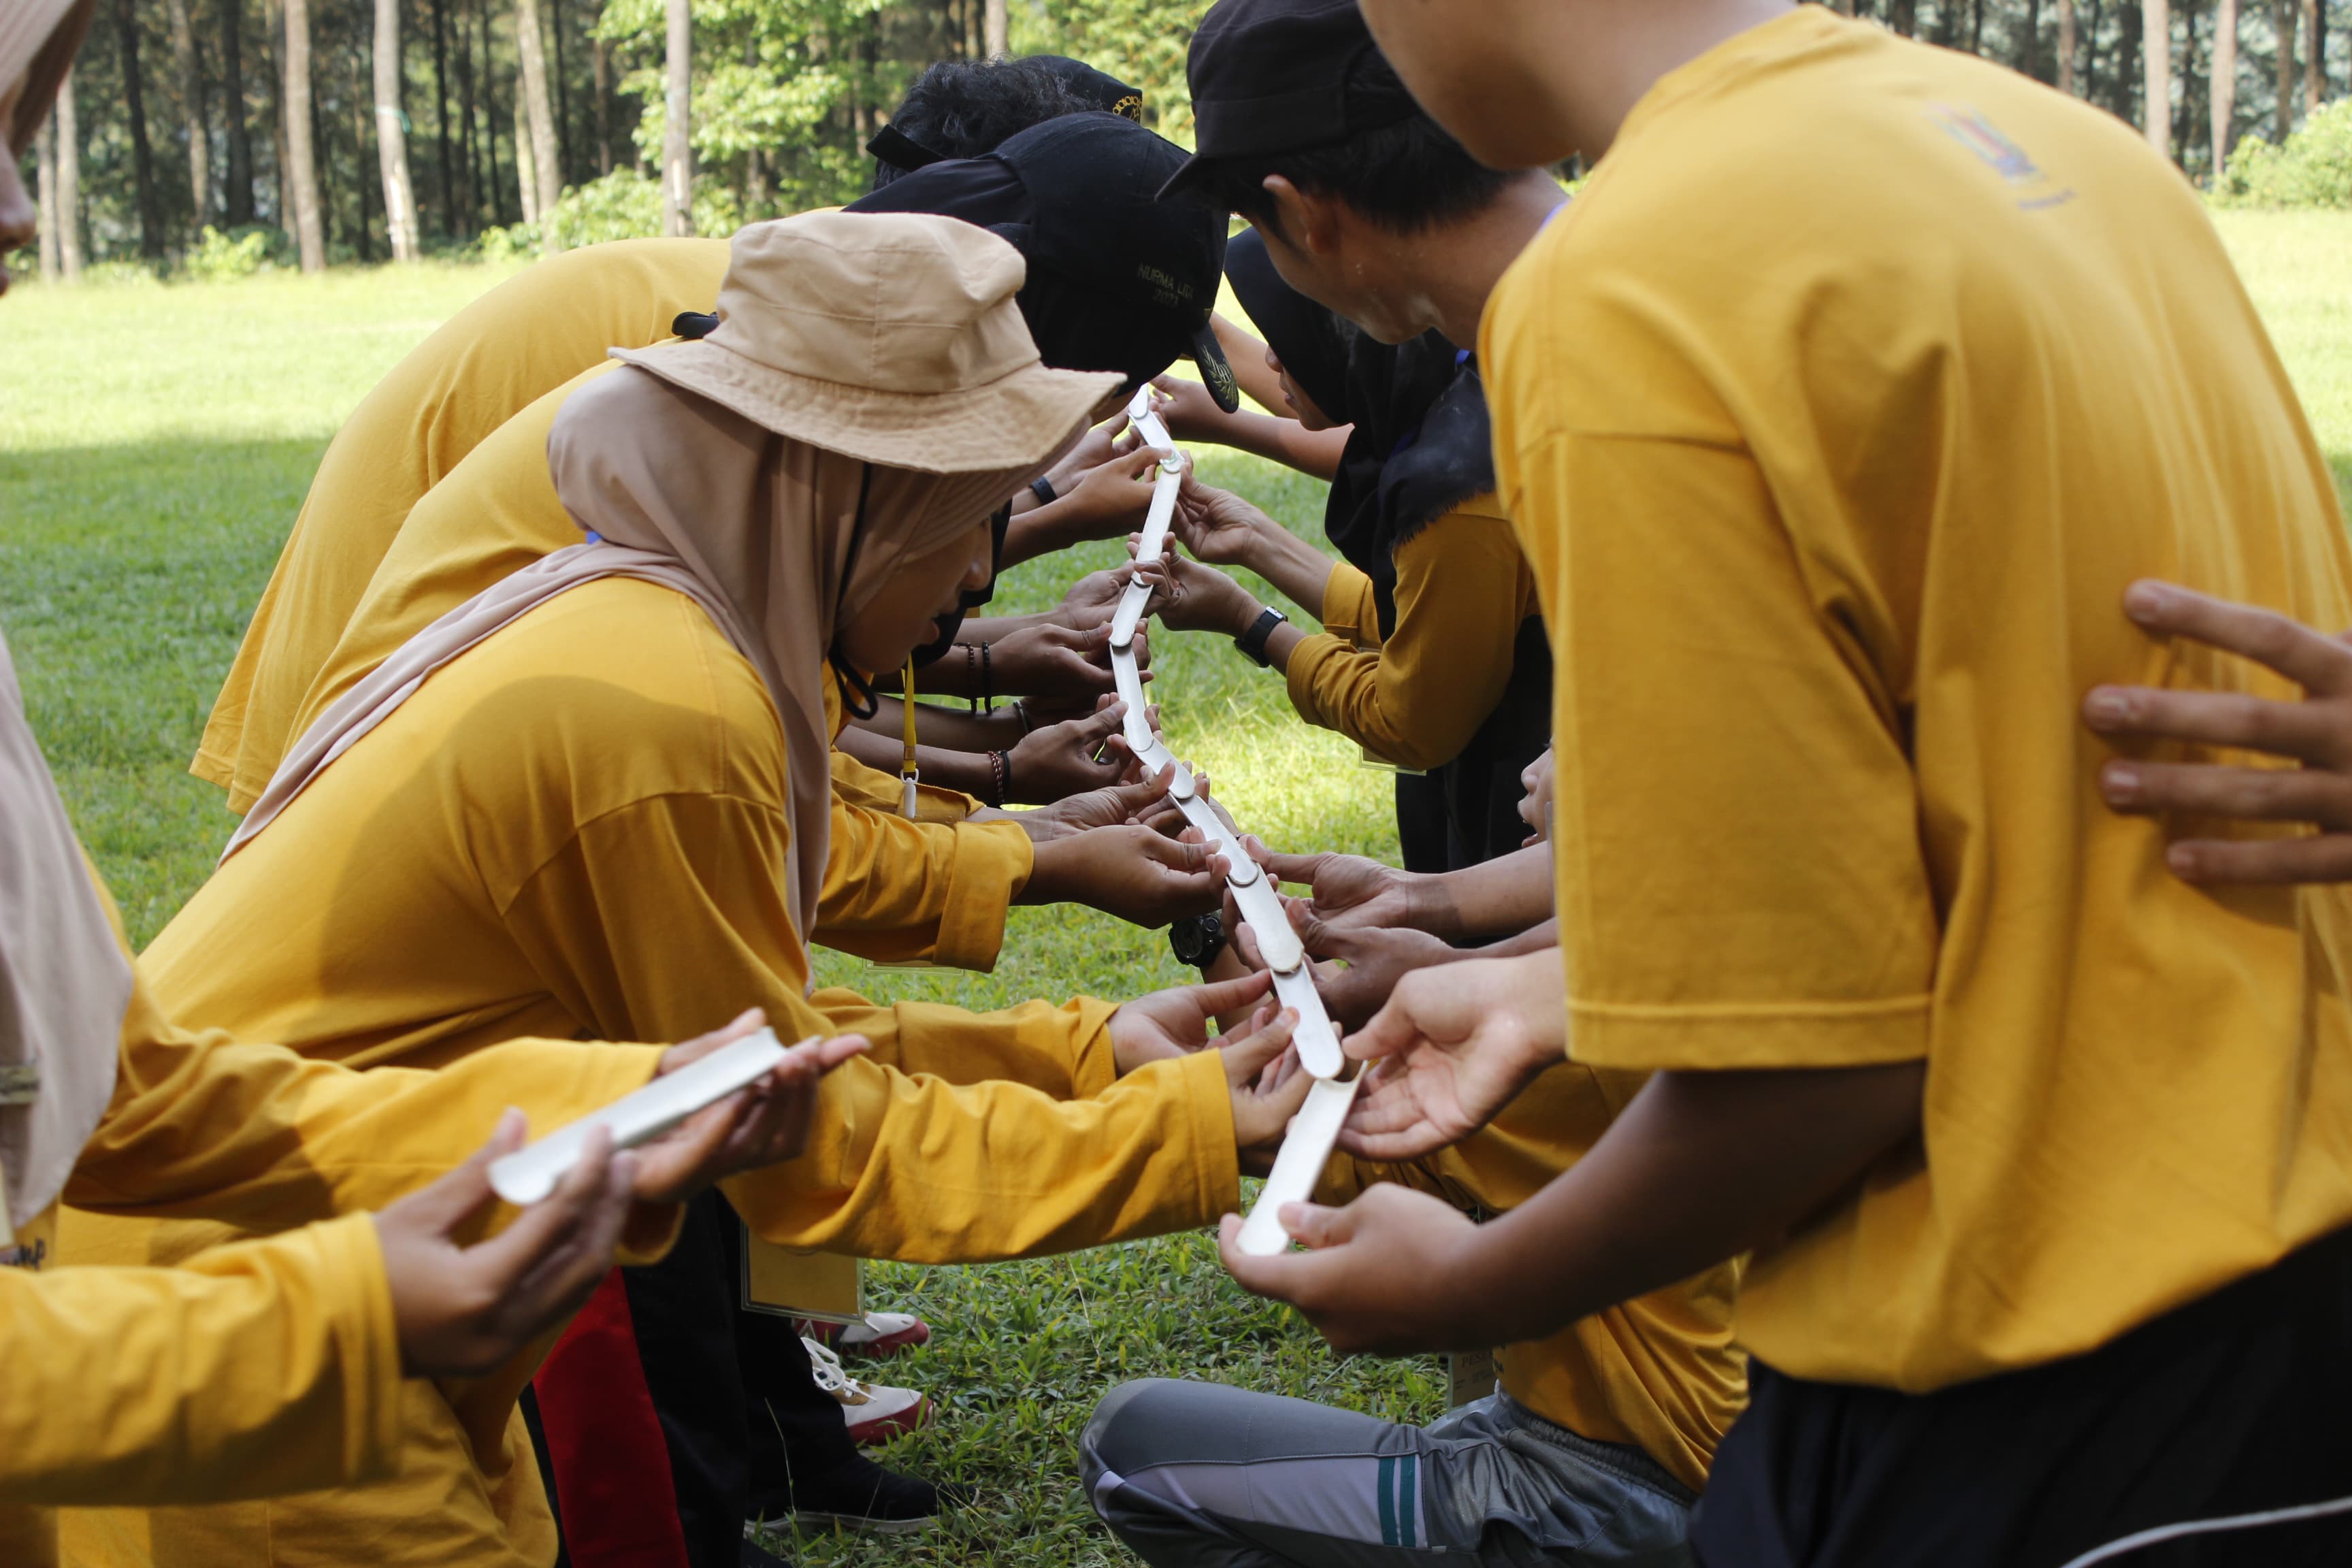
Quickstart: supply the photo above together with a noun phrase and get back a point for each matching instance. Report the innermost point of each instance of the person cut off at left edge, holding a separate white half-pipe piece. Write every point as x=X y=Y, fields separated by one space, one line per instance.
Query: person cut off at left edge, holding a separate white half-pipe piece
x=274 y=1365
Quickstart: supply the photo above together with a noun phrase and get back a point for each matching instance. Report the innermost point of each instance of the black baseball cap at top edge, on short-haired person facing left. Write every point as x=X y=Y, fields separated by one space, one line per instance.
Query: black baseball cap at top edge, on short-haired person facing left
x=1274 y=76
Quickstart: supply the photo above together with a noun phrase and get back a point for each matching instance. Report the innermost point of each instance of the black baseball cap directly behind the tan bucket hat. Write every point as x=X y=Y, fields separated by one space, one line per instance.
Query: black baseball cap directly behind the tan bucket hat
x=1116 y=279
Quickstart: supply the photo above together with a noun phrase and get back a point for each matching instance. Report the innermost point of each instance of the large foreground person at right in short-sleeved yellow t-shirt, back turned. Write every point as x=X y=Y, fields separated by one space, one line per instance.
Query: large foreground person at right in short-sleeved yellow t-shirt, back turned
x=1838 y=415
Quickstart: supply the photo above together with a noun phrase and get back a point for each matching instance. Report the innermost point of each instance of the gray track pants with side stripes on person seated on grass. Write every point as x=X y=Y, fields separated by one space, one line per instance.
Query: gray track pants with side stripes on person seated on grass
x=1198 y=1475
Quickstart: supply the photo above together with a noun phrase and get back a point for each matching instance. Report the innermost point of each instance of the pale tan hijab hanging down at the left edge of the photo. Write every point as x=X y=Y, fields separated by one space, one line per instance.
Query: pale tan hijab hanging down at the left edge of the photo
x=65 y=977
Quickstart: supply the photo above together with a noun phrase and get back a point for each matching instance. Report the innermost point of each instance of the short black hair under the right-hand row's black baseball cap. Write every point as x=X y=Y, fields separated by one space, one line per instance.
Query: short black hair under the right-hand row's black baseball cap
x=1405 y=175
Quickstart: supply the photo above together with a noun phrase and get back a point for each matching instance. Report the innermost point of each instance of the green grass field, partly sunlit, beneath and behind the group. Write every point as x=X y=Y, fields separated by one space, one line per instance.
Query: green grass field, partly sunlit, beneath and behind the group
x=154 y=445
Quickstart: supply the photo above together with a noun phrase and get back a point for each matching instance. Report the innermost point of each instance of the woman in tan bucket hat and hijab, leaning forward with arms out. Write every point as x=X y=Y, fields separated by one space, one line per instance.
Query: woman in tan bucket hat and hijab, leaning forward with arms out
x=603 y=793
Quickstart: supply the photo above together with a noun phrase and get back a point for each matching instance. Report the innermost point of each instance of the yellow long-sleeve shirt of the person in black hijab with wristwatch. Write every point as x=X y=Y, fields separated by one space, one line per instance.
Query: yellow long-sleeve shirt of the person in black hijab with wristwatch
x=1419 y=695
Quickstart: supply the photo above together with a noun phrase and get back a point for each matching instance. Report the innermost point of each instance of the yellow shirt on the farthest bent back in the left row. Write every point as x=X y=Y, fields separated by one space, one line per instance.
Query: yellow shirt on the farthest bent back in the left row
x=434 y=408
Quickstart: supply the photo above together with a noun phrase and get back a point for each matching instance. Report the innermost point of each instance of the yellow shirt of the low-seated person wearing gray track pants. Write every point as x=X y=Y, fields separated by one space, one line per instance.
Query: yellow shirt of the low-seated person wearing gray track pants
x=1657 y=1372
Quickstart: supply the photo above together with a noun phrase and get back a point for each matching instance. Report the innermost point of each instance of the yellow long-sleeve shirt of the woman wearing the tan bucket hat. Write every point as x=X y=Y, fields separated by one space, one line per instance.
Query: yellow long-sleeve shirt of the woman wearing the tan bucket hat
x=580 y=824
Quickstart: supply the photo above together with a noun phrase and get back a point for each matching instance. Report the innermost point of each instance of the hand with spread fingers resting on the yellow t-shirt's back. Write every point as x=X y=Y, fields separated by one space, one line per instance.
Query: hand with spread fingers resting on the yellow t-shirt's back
x=2313 y=735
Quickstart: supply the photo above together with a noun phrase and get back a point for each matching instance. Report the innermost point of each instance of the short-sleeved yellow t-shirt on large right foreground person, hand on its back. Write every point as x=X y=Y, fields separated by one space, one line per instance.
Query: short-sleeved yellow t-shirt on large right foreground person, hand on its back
x=1836 y=417
